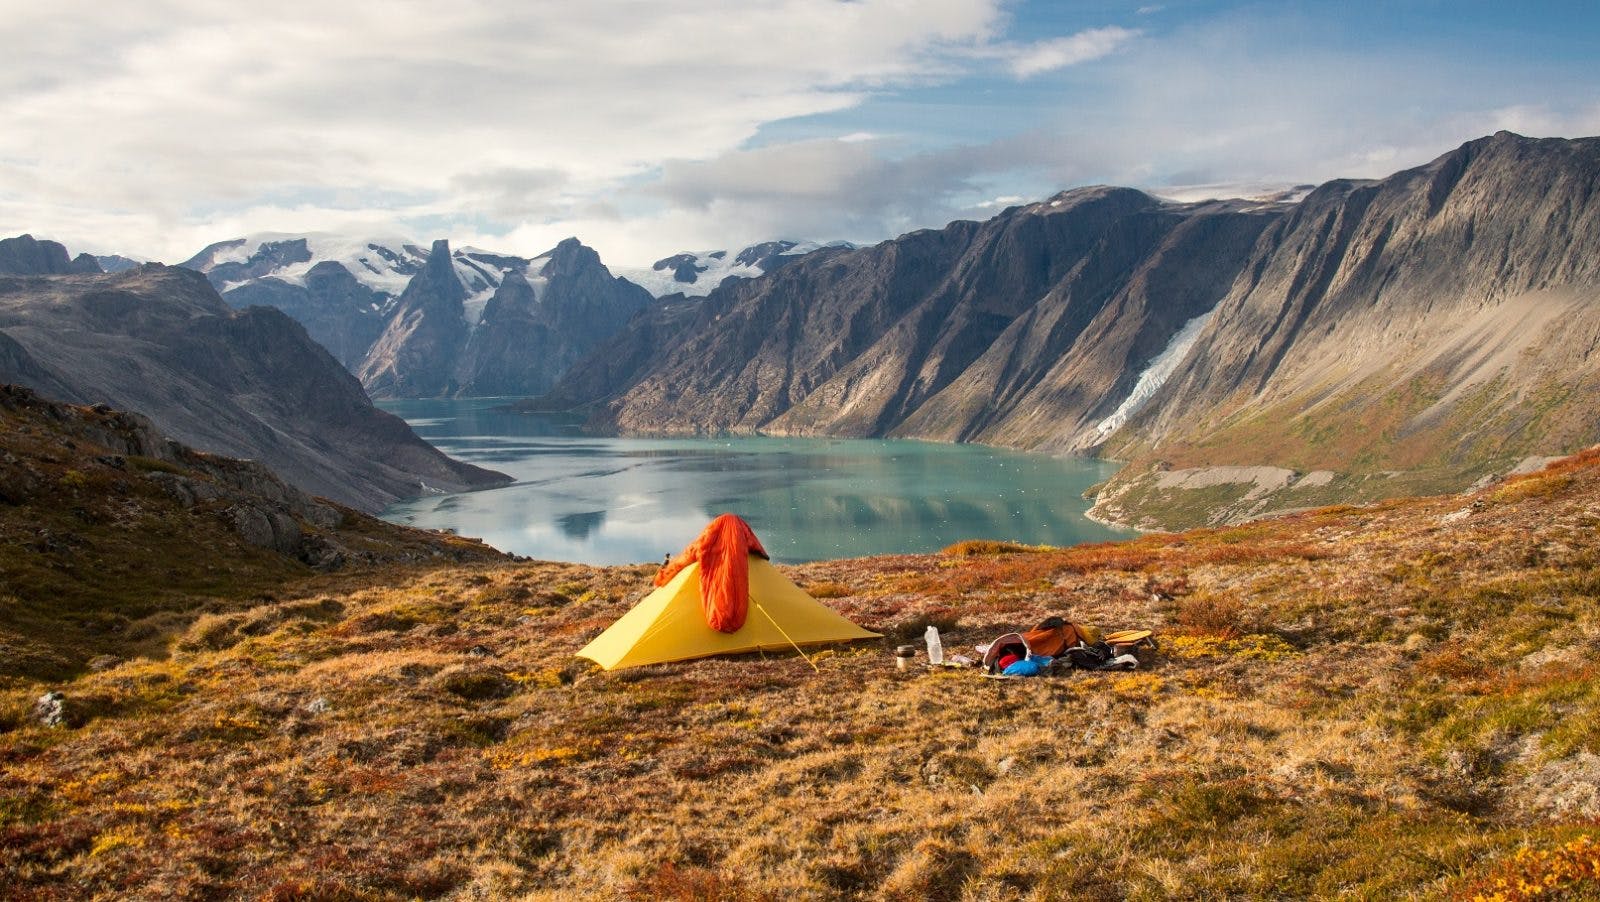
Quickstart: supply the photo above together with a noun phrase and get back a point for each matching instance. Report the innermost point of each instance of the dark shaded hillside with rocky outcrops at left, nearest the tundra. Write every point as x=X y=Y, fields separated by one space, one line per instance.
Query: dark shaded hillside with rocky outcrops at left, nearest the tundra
x=113 y=540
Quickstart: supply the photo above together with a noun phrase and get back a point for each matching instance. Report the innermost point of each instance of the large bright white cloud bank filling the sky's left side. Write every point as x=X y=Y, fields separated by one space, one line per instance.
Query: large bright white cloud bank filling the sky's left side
x=167 y=111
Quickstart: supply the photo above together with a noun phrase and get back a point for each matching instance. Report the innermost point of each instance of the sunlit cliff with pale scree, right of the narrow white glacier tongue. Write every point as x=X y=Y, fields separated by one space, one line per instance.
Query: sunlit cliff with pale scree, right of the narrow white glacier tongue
x=1442 y=317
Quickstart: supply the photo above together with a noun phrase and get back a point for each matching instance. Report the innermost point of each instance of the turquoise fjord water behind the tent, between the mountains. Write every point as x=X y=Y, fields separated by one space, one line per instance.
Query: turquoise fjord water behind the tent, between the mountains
x=602 y=501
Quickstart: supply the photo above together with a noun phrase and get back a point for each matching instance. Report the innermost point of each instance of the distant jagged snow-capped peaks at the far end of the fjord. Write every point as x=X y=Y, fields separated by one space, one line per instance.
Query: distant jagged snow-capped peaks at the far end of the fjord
x=415 y=321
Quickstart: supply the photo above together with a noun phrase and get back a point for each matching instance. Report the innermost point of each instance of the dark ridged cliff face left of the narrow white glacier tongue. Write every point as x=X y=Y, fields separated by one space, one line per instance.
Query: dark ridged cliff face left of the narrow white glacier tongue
x=1004 y=330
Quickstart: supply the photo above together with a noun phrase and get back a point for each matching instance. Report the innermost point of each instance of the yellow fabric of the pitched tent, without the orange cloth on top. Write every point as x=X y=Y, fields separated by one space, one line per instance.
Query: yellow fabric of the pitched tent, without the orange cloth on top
x=671 y=626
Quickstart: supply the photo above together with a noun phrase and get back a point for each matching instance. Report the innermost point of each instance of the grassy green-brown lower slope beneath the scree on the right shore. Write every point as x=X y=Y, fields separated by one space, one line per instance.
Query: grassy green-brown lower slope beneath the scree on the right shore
x=1369 y=444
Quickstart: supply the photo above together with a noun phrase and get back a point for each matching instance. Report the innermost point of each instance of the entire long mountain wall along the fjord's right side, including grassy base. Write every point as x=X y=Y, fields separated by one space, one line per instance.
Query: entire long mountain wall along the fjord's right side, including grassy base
x=1444 y=322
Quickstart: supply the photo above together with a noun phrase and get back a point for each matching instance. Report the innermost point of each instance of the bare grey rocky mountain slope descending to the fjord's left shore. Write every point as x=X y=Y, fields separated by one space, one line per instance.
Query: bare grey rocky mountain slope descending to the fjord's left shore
x=241 y=383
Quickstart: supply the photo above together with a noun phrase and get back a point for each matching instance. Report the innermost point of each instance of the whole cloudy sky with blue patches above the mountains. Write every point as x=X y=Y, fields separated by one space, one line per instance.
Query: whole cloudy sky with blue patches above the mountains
x=644 y=127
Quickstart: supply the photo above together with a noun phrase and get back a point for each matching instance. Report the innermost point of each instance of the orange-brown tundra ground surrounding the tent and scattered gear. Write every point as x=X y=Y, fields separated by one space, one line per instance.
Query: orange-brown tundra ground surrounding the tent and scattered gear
x=1391 y=701
